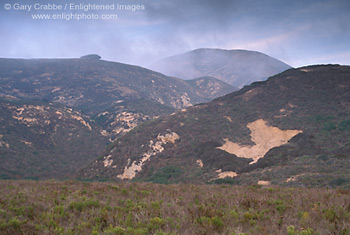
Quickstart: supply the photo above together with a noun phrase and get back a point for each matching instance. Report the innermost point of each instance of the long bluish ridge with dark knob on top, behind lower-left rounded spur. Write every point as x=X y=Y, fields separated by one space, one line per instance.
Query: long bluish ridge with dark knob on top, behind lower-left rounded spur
x=117 y=96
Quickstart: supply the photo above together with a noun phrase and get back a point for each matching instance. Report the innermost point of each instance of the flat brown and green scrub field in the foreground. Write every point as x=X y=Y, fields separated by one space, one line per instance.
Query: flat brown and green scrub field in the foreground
x=51 y=207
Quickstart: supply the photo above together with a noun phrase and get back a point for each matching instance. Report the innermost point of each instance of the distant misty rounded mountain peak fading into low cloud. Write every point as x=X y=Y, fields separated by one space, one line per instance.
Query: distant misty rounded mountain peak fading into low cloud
x=235 y=67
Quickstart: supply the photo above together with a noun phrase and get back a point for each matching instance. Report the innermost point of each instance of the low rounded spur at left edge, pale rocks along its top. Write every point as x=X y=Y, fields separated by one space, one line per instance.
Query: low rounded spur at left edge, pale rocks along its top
x=45 y=140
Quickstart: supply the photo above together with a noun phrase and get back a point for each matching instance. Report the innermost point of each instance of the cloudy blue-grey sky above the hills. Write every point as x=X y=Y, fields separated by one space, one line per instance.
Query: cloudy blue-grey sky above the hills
x=140 y=32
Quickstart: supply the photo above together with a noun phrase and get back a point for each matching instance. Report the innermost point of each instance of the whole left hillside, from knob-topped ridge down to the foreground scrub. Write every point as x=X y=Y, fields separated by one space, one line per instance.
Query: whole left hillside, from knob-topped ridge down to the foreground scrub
x=50 y=138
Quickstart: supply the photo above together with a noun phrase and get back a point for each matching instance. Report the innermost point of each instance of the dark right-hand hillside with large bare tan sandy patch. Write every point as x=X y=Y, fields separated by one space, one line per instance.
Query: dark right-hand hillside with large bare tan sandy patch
x=292 y=129
